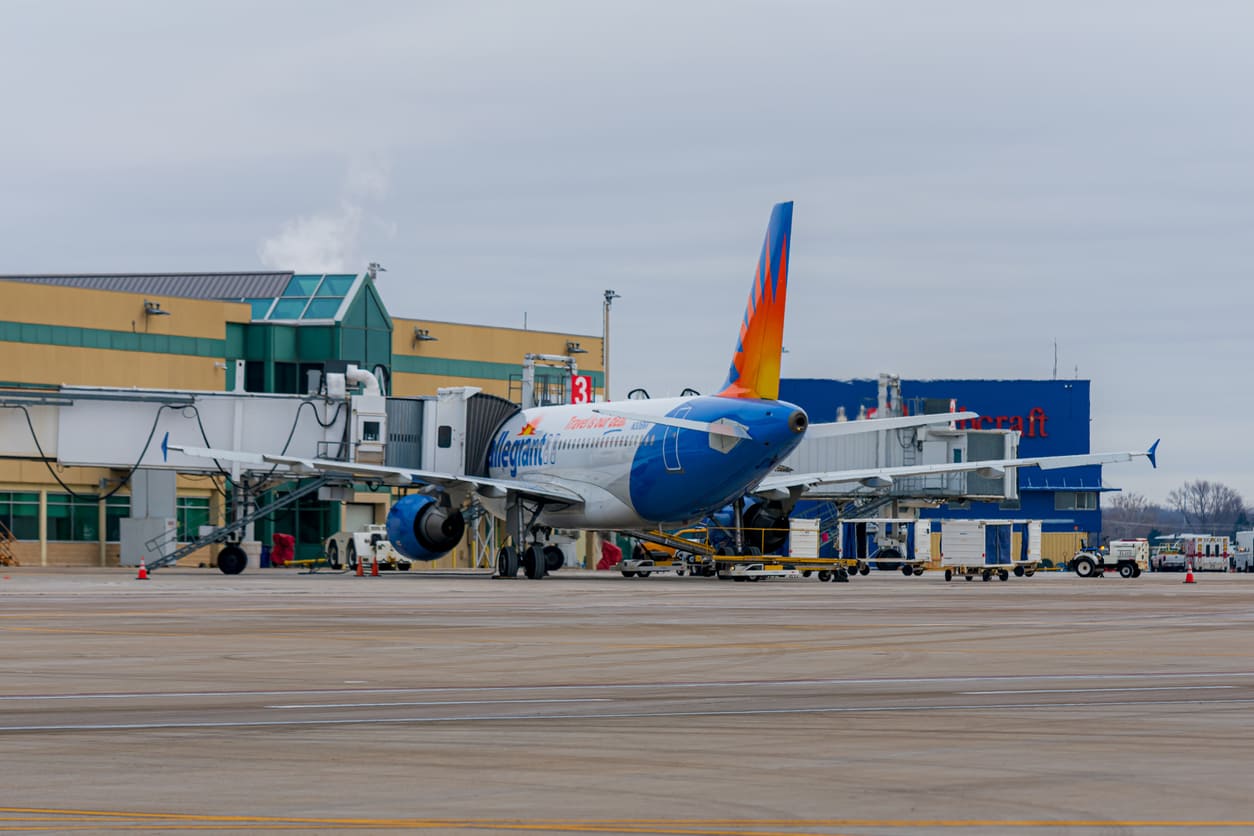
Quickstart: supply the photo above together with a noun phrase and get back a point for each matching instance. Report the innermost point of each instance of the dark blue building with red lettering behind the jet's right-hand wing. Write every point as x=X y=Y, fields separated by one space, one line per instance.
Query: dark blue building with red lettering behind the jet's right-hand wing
x=1051 y=417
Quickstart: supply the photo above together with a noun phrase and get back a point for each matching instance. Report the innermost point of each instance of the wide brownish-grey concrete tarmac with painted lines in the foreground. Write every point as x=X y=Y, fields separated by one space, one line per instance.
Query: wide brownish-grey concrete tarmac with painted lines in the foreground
x=591 y=704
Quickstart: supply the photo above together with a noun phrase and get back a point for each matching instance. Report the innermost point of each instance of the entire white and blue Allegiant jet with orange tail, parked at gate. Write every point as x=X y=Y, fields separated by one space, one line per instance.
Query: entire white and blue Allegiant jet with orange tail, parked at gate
x=634 y=466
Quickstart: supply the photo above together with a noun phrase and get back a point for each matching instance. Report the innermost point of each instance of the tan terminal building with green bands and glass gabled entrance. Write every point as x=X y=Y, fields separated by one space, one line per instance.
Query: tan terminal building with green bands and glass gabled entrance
x=279 y=333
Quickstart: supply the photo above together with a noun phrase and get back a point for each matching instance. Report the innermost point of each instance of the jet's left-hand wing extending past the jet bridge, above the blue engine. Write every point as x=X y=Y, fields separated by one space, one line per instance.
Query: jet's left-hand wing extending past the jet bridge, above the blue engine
x=399 y=477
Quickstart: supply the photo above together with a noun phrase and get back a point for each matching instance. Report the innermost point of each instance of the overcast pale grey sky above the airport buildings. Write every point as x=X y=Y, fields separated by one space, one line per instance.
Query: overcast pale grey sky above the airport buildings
x=980 y=186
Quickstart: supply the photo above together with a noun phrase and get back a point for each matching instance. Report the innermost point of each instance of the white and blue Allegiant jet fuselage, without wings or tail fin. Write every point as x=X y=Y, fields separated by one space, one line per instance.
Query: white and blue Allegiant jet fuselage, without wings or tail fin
x=634 y=473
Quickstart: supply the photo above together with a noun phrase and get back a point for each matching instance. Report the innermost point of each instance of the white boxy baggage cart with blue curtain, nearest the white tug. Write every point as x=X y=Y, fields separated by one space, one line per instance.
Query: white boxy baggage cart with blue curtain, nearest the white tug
x=985 y=550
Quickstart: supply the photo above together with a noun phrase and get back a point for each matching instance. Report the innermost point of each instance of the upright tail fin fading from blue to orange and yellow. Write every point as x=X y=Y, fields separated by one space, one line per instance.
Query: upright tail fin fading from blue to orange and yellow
x=756 y=368
